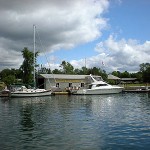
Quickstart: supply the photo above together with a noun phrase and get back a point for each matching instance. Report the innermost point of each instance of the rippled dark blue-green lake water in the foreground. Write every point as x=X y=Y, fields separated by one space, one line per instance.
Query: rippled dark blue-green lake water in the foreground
x=101 y=122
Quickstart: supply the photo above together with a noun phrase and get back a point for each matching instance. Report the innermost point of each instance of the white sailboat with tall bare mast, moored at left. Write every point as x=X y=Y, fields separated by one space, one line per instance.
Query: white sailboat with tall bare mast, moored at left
x=24 y=92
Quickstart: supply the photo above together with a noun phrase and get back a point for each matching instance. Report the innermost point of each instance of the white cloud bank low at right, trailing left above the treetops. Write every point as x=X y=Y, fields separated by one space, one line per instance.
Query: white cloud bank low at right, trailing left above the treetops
x=122 y=55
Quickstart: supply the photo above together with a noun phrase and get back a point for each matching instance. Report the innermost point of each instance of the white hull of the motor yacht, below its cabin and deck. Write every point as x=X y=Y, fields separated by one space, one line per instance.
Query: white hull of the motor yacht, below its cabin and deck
x=99 y=91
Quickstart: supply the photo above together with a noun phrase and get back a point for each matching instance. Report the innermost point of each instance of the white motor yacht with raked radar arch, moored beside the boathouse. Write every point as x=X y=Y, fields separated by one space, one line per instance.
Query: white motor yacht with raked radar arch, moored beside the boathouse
x=99 y=87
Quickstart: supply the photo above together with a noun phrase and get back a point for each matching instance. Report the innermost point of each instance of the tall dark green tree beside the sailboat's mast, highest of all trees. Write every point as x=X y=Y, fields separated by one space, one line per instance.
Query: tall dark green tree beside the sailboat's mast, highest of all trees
x=27 y=66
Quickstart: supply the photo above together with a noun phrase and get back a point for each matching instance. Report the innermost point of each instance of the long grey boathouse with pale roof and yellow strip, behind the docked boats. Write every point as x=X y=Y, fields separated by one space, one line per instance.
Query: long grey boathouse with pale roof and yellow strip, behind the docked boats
x=61 y=82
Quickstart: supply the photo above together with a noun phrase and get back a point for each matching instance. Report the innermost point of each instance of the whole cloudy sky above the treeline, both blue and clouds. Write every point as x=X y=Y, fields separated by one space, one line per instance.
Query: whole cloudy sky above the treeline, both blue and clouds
x=113 y=35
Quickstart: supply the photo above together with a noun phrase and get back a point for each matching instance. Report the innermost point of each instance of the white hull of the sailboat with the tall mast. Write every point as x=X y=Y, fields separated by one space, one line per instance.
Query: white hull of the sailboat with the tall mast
x=30 y=94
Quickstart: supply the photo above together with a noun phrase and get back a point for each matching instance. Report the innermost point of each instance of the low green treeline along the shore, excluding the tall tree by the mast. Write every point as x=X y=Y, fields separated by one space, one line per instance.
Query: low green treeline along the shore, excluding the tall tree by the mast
x=10 y=76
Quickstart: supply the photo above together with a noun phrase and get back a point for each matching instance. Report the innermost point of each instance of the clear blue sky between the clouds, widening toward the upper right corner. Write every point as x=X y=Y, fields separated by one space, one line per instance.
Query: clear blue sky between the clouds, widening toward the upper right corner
x=127 y=19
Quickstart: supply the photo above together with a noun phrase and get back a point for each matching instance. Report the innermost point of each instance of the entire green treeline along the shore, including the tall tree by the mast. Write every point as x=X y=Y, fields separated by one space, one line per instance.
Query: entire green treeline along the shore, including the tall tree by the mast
x=25 y=73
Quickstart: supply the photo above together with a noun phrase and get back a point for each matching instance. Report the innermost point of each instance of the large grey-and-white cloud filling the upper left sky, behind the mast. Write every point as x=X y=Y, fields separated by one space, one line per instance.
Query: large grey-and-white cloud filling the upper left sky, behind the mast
x=62 y=25
